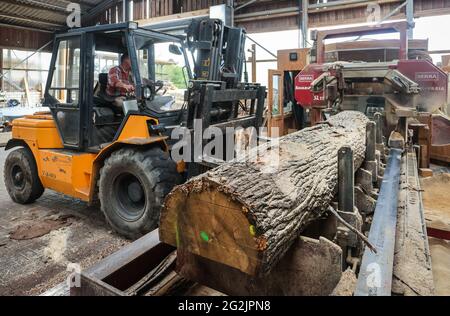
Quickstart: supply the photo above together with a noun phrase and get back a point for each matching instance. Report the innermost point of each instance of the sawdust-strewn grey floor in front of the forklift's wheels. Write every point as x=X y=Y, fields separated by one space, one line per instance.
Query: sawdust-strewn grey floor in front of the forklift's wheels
x=30 y=267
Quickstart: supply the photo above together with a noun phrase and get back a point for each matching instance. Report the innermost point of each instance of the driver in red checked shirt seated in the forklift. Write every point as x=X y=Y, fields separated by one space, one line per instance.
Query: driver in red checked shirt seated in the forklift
x=120 y=81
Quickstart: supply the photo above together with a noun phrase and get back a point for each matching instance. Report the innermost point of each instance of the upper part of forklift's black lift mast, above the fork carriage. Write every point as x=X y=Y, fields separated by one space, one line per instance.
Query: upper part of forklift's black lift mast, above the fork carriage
x=220 y=51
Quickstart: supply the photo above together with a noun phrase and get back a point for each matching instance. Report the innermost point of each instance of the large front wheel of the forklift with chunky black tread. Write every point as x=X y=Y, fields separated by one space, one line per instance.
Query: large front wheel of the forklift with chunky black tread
x=132 y=187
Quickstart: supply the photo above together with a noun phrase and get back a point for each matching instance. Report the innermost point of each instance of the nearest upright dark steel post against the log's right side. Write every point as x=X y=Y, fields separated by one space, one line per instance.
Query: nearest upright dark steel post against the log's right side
x=346 y=180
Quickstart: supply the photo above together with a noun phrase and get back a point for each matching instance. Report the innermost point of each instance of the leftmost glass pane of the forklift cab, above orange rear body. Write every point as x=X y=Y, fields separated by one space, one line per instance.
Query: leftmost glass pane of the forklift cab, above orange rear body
x=65 y=84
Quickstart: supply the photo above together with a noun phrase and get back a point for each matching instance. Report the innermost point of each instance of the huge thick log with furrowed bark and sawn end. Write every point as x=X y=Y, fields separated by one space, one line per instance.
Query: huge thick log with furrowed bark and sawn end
x=246 y=214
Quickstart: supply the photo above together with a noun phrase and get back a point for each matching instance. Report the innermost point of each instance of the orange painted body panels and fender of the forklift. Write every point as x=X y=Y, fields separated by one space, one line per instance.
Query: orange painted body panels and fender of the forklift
x=71 y=172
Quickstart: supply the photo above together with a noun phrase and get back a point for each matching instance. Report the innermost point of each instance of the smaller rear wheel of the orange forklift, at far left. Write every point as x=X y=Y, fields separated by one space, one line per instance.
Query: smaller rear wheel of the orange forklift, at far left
x=21 y=177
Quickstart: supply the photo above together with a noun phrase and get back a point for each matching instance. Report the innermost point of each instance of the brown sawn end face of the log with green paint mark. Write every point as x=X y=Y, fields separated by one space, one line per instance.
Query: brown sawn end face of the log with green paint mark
x=208 y=221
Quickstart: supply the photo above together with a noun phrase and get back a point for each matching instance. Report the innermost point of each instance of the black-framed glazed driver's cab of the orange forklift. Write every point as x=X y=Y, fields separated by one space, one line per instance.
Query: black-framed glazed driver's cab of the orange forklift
x=76 y=89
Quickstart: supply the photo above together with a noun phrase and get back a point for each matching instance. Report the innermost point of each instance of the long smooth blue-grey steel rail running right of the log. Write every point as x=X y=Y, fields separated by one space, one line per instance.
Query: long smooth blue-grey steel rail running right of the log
x=375 y=277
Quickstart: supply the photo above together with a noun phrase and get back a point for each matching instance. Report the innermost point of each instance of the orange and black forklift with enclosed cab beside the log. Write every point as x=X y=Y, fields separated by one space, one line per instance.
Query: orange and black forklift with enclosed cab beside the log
x=86 y=148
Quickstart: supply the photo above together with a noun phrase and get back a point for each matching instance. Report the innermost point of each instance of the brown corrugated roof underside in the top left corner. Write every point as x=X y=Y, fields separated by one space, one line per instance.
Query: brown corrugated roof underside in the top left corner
x=40 y=14
